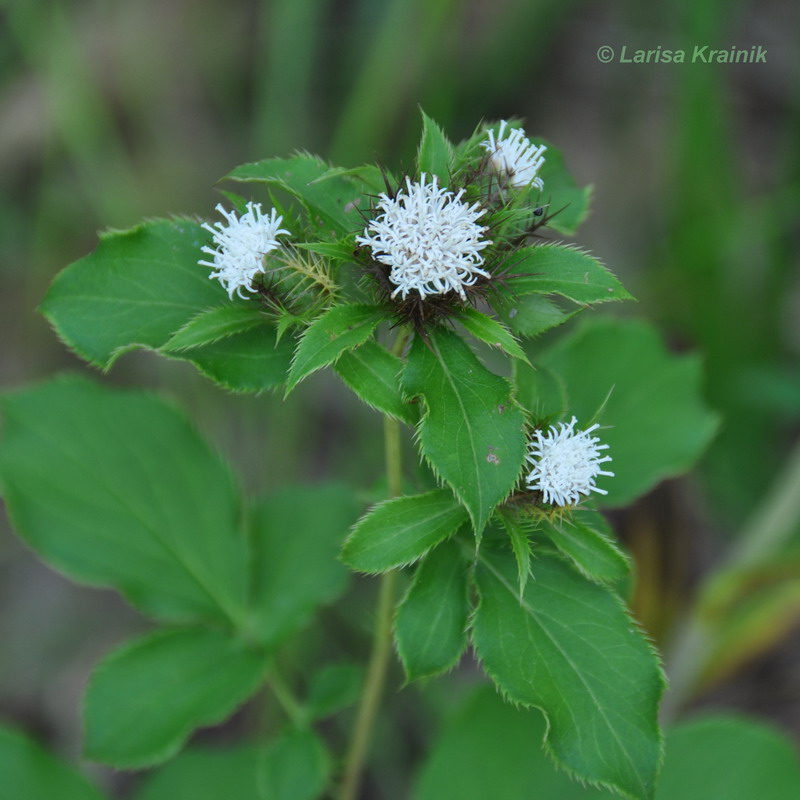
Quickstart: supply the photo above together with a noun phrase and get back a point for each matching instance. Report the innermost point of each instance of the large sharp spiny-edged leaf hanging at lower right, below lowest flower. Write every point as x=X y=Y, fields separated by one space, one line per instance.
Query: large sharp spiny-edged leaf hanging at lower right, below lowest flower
x=570 y=648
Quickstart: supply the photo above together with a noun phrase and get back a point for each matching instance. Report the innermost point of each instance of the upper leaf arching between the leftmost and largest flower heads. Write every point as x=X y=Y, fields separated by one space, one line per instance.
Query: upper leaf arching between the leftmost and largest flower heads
x=329 y=196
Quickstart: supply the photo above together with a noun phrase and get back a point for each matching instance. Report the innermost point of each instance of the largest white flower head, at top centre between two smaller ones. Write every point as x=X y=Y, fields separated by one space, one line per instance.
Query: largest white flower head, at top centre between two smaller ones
x=429 y=237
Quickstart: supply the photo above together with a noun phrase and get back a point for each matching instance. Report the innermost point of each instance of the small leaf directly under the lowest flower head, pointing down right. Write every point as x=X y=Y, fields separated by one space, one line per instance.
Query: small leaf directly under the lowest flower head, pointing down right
x=587 y=540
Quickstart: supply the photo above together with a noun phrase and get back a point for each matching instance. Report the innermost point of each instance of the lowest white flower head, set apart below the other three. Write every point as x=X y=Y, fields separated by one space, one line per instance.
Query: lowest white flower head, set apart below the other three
x=565 y=463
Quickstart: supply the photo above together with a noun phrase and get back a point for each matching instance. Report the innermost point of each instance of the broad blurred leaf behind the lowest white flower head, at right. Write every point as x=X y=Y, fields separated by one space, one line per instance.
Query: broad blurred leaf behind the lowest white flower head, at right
x=649 y=402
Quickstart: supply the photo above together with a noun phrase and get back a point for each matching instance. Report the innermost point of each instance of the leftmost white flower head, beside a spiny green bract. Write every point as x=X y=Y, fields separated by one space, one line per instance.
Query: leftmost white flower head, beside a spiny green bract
x=241 y=245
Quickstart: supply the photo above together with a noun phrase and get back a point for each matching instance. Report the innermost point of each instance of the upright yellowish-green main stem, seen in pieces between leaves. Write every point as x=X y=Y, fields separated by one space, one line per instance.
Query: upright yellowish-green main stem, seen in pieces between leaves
x=382 y=635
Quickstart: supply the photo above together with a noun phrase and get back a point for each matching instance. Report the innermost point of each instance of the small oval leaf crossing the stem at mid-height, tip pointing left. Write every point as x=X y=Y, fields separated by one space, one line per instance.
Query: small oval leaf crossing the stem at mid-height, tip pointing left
x=397 y=532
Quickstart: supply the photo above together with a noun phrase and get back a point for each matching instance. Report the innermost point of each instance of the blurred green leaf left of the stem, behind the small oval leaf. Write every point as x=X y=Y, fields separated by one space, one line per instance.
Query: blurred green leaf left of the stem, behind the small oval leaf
x=297 y=534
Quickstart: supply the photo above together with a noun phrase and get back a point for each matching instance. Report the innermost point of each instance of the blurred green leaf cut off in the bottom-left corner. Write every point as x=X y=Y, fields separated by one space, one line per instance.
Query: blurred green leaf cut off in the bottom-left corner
x=31 y=773
